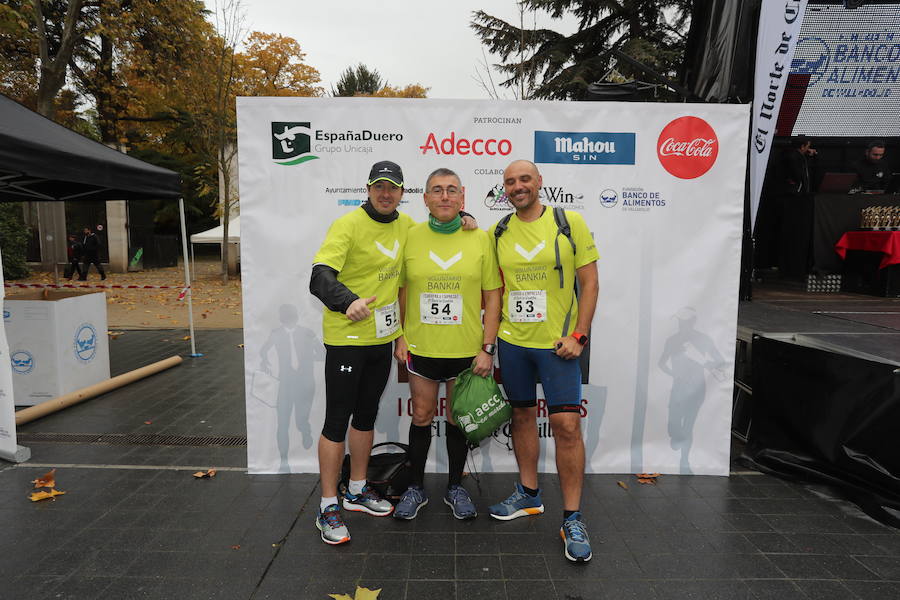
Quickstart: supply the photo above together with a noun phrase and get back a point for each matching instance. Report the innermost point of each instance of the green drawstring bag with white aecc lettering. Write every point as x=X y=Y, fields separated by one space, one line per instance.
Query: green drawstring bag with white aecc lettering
x=479 y=407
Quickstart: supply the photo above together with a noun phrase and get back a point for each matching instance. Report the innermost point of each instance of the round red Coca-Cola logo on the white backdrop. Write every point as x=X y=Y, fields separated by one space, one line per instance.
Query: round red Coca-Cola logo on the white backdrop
x=687 y=147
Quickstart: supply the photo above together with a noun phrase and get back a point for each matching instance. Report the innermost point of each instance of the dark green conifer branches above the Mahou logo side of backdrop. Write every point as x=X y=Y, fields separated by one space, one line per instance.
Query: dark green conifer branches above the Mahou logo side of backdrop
x=557 y=66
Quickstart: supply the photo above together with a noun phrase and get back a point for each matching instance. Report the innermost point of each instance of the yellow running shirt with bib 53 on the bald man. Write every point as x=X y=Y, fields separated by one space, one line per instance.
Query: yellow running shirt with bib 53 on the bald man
x=534 y=306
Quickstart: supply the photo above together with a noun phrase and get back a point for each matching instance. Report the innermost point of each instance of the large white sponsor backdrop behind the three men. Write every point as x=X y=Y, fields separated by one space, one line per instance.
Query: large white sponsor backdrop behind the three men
x=660 y=186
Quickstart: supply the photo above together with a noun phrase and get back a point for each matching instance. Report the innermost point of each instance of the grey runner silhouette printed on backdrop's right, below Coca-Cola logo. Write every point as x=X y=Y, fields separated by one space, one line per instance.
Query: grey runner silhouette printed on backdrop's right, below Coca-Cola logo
x=686 y=356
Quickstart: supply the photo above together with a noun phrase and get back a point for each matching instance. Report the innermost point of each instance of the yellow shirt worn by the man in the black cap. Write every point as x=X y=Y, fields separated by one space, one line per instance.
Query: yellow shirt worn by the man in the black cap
x=367 y=256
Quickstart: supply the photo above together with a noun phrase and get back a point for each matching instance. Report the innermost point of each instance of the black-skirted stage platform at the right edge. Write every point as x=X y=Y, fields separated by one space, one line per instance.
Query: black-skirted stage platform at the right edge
x=816 y=394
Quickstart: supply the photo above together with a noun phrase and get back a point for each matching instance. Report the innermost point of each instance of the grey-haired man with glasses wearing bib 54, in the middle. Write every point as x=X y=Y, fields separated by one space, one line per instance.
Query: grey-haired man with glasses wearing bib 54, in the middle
x=448 y=273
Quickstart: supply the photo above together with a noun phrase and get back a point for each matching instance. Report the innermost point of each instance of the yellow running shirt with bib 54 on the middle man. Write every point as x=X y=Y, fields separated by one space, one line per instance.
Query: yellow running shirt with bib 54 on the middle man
x=444 y=275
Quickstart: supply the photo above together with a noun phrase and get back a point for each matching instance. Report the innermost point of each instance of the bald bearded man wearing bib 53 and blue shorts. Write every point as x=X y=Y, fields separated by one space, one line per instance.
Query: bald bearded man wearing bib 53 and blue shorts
x=544 y=326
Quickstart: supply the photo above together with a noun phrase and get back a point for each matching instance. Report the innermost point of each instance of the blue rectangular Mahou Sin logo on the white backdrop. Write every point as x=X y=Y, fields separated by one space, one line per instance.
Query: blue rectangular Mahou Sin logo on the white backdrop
x=583 y=148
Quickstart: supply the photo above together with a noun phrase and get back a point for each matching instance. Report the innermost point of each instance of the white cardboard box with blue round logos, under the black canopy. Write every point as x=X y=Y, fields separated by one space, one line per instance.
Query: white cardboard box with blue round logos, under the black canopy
x=57 y=343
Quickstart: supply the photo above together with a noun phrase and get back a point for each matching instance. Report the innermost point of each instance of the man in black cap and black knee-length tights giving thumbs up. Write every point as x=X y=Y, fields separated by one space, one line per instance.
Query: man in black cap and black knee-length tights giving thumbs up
x=356 y=274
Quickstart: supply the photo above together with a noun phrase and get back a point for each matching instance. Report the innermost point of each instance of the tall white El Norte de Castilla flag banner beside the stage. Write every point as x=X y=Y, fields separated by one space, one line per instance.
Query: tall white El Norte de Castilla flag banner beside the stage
x=776 y=40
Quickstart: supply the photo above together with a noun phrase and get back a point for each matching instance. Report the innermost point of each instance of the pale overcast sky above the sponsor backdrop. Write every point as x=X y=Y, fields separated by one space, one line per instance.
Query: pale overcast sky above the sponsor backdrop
x=427 y=42
